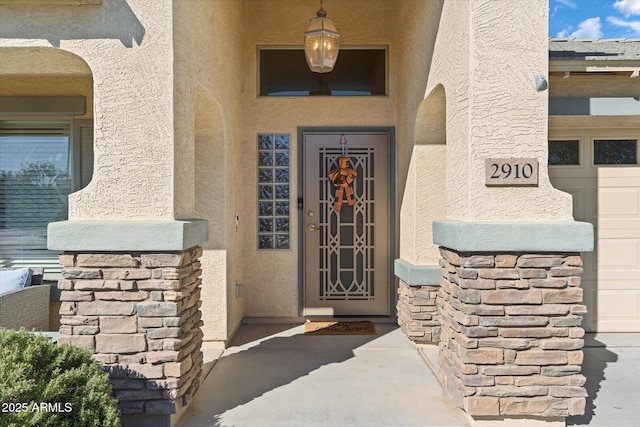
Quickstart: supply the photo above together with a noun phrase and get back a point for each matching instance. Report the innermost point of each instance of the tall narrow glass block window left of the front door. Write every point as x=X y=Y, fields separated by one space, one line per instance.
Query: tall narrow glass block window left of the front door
x=274 y=230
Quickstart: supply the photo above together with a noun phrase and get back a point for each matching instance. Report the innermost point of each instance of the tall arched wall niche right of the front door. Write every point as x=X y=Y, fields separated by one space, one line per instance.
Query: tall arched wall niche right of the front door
x=425 y=192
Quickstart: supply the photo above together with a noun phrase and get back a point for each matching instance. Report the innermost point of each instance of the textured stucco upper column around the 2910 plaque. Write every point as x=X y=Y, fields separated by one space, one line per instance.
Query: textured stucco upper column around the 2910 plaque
x=487 y=69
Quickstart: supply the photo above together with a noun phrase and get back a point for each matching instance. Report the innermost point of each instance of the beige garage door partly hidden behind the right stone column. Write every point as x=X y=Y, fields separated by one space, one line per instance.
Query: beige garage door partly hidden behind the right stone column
x=599 y=168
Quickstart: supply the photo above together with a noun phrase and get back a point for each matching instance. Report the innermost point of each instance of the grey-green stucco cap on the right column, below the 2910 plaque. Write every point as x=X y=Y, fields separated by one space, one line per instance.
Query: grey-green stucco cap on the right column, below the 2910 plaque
x=516 y=236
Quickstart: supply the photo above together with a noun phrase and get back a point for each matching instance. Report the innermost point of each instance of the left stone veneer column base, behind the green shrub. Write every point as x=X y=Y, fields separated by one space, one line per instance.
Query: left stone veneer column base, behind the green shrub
x=139 y=313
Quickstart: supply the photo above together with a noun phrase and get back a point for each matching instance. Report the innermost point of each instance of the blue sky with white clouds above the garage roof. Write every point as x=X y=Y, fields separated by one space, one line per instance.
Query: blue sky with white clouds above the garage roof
x=600 y=19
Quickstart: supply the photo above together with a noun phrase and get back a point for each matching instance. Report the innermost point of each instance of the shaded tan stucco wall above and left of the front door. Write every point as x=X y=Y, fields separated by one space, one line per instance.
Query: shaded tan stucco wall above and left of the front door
x=271 y=277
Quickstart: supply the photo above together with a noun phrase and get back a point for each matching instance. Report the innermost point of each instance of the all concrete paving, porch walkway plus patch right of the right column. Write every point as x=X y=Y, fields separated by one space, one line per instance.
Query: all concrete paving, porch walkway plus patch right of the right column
x=274 y=375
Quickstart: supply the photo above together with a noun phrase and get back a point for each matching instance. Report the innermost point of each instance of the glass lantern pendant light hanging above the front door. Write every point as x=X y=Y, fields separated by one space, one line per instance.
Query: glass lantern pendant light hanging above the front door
x=321 y=43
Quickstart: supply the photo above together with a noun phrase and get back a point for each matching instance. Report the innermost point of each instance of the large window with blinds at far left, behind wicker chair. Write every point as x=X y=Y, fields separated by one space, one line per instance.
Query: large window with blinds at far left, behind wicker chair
x=40 y=164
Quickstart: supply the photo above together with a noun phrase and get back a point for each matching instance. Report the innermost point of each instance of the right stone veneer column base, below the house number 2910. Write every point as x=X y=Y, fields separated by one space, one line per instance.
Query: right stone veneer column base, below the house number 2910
x=511 y=344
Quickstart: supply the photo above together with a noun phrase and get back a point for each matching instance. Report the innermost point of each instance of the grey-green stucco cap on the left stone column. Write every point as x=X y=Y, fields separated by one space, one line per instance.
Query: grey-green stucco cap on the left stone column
x=127 y=235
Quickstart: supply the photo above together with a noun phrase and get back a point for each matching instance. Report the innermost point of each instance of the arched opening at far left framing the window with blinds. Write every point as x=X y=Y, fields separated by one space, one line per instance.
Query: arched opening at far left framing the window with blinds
x=46 y=152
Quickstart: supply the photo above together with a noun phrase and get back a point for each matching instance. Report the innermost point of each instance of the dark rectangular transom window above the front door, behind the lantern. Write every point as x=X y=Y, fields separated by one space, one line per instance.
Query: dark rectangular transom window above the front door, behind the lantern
x=358 y=72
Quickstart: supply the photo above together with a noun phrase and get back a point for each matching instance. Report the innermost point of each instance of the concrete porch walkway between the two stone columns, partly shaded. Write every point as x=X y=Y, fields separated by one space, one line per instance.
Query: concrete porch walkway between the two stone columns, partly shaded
x=274 y=375
